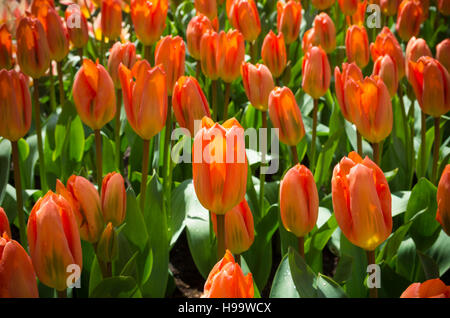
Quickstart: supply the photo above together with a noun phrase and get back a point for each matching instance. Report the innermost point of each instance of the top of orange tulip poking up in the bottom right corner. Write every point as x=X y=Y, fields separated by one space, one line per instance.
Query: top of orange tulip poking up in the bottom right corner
x=432 y=288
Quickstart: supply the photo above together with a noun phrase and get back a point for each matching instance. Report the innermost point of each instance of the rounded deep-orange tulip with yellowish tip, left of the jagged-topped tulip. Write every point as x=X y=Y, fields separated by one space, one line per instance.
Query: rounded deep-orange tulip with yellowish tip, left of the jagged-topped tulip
x=94 y=95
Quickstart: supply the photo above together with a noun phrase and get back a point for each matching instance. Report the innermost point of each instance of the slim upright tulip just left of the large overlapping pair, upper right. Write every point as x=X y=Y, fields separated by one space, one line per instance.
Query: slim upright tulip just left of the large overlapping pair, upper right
x=316 y=72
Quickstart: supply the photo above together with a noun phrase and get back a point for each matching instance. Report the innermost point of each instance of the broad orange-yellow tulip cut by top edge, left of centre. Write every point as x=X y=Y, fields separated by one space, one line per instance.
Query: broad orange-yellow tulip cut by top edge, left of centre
x=149 y=19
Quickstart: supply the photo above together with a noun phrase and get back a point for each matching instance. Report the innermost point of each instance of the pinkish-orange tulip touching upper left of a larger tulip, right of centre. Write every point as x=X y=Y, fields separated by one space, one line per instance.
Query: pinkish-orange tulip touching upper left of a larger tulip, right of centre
x=258 y=83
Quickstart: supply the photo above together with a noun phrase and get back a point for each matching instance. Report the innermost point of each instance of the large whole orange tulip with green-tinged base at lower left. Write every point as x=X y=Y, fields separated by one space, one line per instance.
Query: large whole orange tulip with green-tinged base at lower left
x=54 y=240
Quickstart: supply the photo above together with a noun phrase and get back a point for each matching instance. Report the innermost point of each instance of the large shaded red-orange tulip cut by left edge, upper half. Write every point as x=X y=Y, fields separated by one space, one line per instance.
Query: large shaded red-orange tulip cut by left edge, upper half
x=15 y=105
